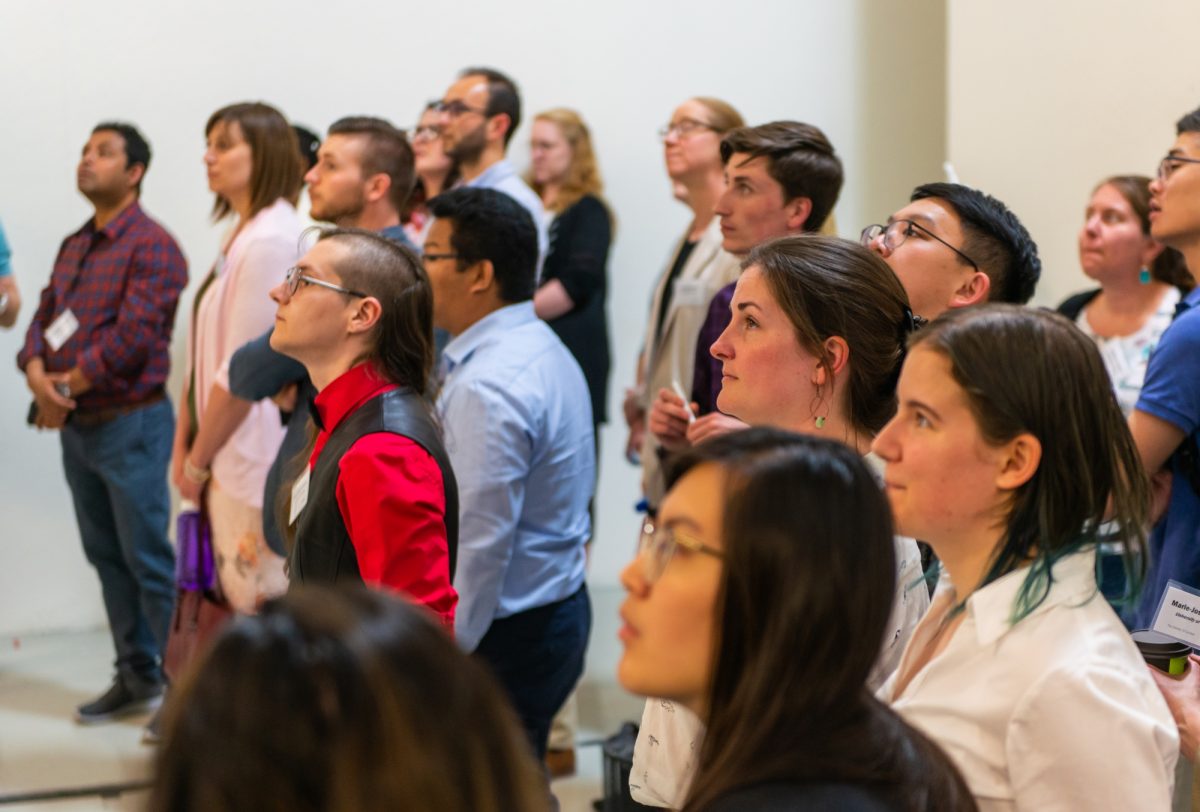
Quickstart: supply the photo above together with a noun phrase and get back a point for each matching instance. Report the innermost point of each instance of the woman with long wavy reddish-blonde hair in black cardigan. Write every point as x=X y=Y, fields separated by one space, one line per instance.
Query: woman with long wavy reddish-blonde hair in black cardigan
x=575 y=276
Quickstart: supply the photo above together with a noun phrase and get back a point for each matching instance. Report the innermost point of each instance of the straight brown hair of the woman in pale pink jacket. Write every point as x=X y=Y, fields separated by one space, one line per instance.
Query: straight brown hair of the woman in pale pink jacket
x=278 y=170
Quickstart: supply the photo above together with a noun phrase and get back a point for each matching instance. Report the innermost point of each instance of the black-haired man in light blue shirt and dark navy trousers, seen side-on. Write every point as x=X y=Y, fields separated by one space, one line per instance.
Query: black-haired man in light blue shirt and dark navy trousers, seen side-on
x=518 y=420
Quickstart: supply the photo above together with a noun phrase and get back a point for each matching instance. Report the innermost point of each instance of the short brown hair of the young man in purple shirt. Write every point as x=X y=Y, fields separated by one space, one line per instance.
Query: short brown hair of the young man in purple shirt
x=800 y=159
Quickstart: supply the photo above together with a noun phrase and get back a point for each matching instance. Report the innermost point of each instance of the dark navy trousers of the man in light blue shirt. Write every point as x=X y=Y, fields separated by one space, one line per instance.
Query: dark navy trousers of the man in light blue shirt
x=538 y=657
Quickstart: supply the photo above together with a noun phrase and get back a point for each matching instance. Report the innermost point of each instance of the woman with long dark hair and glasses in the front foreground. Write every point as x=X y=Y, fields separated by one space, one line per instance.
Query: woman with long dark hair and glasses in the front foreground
x=759 y=603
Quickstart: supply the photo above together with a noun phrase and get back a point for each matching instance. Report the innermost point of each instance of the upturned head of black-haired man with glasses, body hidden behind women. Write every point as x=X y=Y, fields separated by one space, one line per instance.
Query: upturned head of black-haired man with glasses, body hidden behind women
x=955 y=246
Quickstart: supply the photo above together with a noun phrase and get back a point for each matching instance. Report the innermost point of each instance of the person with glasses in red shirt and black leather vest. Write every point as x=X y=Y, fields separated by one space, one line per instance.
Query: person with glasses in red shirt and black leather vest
x=375 y=501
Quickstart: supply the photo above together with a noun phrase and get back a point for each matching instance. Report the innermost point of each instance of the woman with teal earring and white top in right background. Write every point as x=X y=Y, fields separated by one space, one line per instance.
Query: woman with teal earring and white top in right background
x=1142 y=282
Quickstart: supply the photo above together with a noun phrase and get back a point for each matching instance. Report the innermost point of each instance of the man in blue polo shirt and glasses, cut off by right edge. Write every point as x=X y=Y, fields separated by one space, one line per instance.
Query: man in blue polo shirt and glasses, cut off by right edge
x=1167 y=419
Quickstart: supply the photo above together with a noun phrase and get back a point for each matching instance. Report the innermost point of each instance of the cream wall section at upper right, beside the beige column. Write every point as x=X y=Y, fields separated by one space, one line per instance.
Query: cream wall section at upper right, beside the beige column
x=1048 y=99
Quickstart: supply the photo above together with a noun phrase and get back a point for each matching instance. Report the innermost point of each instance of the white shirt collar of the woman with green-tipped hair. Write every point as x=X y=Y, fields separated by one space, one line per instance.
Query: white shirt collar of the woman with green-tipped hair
x=992 y=608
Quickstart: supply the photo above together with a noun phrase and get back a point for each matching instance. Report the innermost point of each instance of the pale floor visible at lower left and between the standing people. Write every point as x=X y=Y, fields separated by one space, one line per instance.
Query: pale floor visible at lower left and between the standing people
x=46 y=757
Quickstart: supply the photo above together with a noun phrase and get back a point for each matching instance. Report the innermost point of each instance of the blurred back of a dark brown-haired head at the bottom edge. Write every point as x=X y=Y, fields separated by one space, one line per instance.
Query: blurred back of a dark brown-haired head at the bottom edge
x=343 y=701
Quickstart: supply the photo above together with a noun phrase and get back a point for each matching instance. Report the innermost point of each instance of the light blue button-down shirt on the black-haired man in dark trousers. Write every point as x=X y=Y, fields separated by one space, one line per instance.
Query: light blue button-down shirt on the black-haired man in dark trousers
x=518 y=424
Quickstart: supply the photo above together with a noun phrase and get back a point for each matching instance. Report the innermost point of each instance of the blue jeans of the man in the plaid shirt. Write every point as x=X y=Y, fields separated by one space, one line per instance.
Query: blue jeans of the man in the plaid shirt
x=118 y=478
